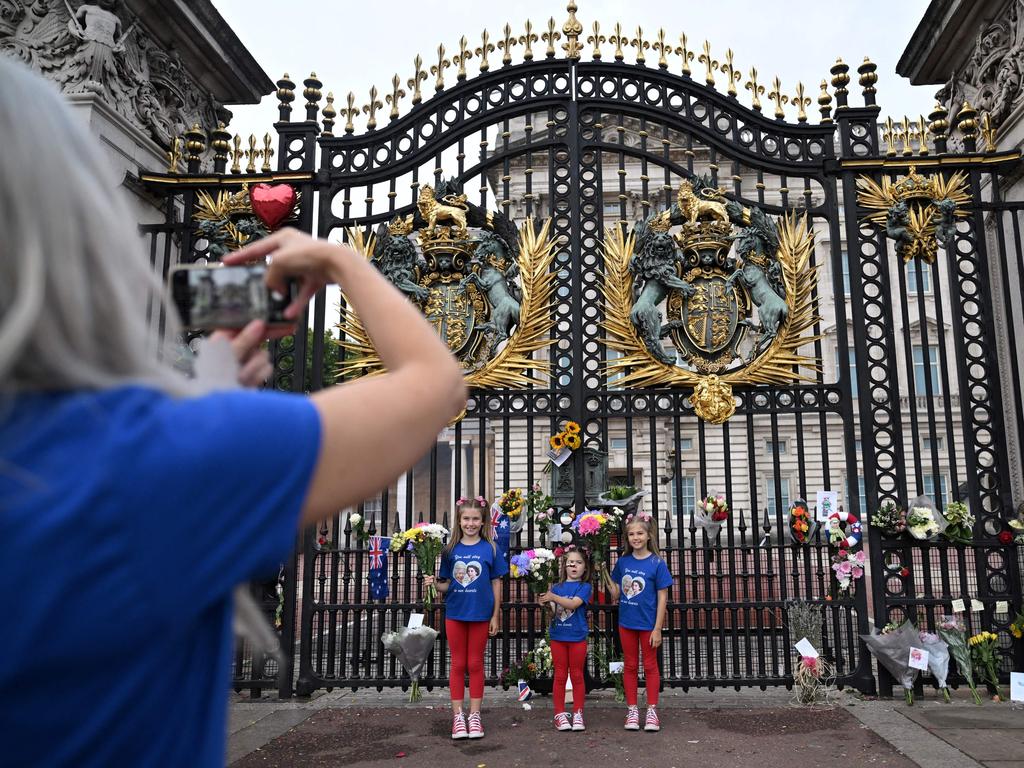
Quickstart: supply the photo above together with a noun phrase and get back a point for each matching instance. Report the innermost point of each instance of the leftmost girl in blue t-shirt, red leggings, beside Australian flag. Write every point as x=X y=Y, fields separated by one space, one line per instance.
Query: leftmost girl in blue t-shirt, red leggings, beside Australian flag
x=471 y=578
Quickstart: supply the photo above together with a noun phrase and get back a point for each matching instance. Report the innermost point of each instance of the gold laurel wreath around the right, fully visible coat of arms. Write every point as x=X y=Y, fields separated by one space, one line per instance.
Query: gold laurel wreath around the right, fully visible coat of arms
x=777 y=365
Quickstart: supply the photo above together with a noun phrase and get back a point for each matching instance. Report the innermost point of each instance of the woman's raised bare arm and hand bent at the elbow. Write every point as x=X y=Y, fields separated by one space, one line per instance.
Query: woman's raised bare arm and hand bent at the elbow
x=374 y=429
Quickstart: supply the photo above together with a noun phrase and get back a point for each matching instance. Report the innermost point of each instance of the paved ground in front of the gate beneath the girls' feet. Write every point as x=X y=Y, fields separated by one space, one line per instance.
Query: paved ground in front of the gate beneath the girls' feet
x=724 y=730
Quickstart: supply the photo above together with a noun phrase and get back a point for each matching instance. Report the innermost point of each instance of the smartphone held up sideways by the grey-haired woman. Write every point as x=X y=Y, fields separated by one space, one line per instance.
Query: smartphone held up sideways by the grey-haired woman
x=212 y=296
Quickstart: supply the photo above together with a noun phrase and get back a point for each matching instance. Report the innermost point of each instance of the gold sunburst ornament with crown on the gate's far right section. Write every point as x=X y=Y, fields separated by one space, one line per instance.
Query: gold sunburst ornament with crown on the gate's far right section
x=919 y=214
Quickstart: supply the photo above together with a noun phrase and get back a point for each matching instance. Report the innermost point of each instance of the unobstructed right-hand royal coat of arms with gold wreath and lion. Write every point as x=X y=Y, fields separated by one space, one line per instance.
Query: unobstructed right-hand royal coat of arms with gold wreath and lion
x=736 y=287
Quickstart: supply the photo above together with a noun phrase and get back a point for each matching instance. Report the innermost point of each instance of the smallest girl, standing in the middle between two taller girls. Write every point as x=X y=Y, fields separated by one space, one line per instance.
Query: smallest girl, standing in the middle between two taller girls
x=569 y=636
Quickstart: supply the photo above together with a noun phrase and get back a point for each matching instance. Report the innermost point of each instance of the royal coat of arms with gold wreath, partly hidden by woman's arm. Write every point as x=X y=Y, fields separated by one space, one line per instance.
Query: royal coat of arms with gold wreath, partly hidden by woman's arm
x=485 y=285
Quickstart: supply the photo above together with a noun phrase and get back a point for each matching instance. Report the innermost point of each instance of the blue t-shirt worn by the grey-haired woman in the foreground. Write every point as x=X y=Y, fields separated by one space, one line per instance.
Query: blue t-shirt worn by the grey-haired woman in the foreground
x=127 y=518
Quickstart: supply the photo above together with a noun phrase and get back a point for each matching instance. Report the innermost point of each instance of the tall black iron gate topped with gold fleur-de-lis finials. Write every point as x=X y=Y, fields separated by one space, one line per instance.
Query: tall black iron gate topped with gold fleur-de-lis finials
x=599 y=145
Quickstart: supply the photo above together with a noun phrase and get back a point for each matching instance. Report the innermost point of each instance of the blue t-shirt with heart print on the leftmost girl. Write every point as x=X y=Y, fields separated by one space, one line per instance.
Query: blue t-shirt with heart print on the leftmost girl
x=471 y=568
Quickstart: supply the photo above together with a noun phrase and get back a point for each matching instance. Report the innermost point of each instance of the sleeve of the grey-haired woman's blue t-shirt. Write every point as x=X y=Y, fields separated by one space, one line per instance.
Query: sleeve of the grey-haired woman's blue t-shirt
x=219 y=484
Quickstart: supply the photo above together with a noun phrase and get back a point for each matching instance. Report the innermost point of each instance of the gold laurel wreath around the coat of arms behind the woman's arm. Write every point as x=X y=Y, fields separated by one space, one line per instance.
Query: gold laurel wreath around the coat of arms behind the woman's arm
x=513 y=367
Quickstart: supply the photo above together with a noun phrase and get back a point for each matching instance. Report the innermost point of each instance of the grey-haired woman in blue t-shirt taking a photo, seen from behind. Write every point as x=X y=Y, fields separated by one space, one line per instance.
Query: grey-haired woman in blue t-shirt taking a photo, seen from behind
x=132 y=503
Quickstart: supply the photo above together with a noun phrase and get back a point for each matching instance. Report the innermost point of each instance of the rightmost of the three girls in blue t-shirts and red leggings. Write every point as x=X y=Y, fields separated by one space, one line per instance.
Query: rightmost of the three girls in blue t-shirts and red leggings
x=641 y=584
